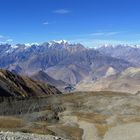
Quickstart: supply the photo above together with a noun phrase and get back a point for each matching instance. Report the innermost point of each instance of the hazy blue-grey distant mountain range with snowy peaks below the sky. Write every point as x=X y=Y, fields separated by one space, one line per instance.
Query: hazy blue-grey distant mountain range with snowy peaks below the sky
x=67 y=62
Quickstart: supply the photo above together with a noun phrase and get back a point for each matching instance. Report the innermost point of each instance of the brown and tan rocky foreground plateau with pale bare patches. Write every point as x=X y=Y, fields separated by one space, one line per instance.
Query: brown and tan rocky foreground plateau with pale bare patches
x=80 y=116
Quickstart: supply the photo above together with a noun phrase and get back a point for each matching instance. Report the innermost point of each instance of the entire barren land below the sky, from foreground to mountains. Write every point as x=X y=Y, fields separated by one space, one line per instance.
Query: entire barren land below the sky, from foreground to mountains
x=70 y=93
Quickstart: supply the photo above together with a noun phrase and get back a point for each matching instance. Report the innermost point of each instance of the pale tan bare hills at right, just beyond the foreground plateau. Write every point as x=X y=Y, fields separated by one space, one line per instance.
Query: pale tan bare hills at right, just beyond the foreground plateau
x=127 y=81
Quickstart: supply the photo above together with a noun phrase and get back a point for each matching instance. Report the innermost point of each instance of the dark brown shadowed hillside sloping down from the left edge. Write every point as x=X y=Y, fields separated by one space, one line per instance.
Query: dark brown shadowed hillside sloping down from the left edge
x=14 y=85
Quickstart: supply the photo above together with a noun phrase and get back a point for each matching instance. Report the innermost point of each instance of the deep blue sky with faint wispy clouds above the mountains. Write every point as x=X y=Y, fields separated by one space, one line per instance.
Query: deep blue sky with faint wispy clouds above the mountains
x=91 y=22
